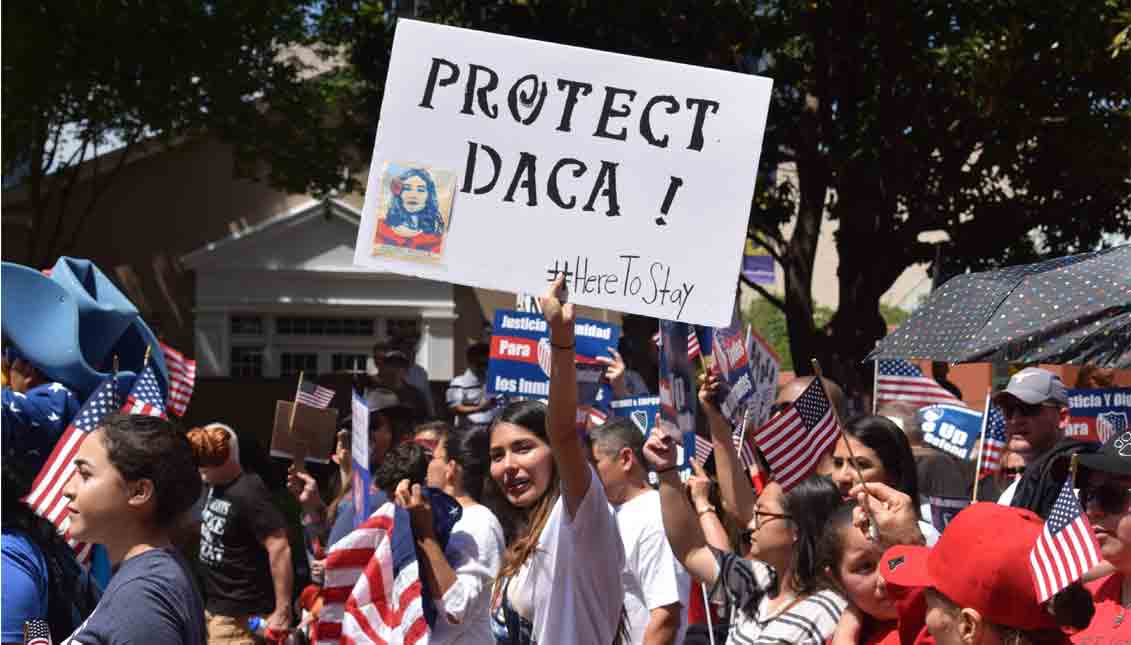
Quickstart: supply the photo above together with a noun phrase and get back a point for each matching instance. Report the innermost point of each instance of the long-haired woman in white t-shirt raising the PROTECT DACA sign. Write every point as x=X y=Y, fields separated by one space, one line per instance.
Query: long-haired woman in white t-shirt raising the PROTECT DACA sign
x=560 y=580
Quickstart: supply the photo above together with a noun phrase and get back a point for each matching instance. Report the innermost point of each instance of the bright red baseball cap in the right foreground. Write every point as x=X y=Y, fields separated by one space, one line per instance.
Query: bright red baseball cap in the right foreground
x=981 y=562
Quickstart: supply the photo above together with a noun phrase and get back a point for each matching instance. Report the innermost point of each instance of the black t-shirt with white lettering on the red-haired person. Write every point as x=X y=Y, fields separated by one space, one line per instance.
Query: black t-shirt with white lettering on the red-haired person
x=236 y=521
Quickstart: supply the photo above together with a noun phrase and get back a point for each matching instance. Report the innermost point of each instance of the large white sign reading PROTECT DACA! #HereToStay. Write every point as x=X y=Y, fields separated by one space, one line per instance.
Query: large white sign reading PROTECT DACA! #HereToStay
x=620 y=173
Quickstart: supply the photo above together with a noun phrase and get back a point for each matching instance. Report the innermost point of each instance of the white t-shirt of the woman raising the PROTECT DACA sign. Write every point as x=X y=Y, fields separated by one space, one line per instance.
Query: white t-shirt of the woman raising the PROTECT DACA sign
x=571 y=588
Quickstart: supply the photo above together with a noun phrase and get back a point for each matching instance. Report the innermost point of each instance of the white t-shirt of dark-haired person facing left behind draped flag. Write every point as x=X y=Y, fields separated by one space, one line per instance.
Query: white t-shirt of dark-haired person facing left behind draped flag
x=474 y=552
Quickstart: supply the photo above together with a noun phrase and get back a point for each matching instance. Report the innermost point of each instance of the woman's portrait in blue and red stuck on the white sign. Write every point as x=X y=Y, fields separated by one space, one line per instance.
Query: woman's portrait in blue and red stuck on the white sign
x=415 y=212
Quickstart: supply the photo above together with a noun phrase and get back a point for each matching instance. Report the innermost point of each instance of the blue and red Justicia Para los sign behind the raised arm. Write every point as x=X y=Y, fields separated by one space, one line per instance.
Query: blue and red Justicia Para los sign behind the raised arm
x=520 y=360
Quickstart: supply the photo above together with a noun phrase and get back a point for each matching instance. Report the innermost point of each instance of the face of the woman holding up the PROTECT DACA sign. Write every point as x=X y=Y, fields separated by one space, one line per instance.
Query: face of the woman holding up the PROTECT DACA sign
x=521 y=465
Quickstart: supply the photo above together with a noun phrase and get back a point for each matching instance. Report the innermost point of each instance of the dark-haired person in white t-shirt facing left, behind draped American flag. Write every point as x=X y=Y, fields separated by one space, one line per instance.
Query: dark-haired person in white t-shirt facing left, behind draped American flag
x=461 y=577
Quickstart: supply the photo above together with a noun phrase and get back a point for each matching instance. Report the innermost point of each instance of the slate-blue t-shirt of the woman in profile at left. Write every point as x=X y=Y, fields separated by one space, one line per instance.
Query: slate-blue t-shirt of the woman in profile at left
x=151 y=599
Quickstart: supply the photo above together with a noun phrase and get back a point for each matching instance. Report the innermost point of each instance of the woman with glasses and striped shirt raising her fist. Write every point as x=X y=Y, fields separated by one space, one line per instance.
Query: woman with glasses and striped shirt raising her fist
x=776 y=596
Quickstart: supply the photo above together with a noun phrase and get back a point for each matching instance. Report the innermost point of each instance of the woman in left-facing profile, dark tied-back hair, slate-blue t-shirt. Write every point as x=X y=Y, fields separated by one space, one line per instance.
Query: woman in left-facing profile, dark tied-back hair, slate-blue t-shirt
x=135 y=479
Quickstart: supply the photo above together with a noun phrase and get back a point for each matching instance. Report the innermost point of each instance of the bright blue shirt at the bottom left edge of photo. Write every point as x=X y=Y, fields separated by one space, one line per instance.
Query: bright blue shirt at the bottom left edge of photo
x=24 y=578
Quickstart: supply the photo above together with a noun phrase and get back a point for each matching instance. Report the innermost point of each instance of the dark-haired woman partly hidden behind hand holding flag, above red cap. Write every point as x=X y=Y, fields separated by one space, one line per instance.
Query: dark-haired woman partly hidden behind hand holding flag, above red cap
x=883 y=454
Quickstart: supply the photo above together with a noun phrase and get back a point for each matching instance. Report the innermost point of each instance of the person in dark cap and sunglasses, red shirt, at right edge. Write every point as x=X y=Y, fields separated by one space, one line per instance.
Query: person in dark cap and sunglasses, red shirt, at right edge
x=1106 y=494
